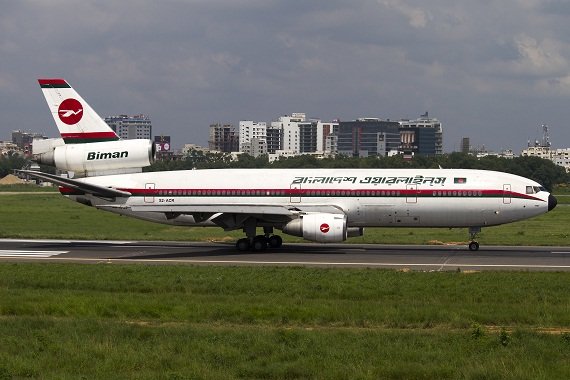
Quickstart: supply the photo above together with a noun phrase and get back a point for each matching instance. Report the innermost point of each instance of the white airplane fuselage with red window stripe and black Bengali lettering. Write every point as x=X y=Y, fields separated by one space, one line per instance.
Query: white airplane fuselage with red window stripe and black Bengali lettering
x=368 y=197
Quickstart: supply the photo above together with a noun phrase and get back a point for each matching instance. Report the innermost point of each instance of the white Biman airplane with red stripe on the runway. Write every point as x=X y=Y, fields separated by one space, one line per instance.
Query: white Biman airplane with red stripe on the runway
x=320 y=205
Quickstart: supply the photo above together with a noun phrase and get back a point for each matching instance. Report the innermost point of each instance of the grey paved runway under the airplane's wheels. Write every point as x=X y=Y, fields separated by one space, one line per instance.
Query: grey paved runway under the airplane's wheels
x=425 y=258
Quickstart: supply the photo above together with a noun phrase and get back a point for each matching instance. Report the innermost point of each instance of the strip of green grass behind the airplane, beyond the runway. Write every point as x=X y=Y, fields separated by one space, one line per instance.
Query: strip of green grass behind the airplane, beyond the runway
x=52 y=216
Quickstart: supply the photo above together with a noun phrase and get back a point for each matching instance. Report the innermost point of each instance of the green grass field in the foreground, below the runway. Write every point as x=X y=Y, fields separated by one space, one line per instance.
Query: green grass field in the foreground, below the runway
x=185 y=322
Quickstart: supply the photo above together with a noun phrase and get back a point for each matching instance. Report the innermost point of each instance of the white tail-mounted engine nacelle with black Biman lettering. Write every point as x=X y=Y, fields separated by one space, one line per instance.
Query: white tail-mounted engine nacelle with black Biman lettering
x=99 y=157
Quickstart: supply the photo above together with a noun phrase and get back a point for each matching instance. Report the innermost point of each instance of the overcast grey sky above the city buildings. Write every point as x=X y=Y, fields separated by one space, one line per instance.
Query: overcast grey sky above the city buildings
x=492 y=70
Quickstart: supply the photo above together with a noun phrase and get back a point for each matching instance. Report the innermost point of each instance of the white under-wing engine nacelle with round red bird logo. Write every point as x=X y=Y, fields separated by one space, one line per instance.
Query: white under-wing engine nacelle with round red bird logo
x=321 y=228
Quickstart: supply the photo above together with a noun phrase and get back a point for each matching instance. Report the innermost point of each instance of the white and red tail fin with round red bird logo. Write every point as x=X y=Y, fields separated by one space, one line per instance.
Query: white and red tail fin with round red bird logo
x=77 y=122
